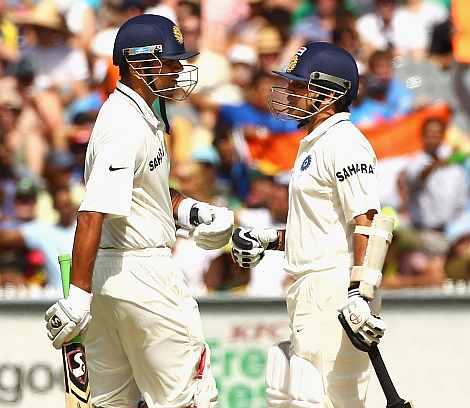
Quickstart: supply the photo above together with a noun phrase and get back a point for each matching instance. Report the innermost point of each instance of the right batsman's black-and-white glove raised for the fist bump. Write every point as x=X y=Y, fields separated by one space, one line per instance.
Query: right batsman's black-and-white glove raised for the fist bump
x=248 y=245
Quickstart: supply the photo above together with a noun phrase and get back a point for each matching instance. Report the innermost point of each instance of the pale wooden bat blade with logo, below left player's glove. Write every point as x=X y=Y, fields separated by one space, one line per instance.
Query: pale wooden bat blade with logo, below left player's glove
x=77 y=385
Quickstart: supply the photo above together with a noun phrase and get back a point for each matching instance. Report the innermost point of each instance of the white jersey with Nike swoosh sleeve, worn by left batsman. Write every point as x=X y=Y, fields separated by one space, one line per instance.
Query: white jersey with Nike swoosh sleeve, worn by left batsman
x=127 y=174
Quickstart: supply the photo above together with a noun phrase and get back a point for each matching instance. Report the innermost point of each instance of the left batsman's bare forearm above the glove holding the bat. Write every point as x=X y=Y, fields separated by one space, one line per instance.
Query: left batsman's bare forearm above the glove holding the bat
x=85 y=247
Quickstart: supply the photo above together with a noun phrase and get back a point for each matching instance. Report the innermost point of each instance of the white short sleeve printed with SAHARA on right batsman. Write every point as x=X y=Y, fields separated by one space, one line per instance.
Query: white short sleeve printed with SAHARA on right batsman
x=356 y=180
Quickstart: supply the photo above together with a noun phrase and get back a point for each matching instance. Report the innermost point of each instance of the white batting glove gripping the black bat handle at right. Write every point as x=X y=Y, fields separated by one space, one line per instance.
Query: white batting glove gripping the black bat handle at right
x=366 y=327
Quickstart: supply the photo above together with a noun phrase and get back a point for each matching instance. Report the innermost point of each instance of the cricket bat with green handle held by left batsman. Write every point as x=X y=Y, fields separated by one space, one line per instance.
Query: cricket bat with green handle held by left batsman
x=77 y=386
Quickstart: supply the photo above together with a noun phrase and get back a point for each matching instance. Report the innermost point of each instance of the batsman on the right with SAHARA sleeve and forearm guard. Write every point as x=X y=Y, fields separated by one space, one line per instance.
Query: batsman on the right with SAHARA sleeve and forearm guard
x=335 y=240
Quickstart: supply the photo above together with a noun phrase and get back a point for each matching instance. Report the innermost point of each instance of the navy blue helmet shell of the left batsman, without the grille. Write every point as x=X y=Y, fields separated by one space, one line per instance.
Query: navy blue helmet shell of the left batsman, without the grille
x=150 y=30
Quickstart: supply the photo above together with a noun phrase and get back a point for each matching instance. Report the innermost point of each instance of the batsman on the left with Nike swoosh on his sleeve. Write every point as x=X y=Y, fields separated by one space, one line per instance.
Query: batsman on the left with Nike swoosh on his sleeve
x=141 y=328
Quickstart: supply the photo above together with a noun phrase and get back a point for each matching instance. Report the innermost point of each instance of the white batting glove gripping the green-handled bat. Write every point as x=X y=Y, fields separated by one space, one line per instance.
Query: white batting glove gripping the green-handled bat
x=69 y=317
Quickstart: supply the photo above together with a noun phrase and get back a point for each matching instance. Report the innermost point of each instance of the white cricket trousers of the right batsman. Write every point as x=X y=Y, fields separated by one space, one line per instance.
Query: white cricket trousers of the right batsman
x=318 y=337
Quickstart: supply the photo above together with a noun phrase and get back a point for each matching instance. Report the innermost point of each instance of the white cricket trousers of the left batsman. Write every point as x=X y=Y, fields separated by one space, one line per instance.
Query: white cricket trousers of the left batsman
x=145 y=335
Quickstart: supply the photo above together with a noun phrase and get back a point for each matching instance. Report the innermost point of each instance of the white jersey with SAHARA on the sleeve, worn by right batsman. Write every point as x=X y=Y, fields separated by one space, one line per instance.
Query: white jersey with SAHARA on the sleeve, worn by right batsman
x=333 y=181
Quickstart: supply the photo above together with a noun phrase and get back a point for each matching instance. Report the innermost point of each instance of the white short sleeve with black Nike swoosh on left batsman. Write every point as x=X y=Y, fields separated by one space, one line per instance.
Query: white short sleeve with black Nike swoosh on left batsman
x=110 y=183
